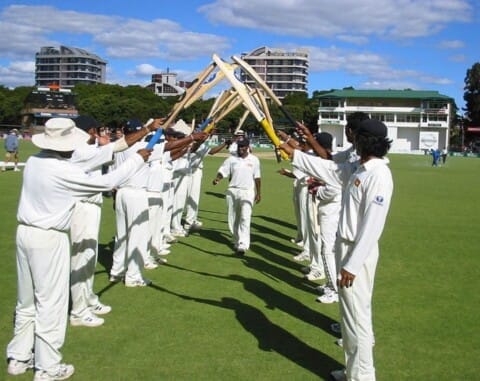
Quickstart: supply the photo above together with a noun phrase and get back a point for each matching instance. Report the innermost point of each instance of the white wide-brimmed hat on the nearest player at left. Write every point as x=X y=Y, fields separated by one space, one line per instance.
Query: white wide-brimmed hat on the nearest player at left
x=60 y=134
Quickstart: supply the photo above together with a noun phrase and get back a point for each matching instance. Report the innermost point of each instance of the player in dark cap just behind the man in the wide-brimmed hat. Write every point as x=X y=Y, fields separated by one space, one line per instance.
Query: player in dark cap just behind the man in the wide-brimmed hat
x=85 y=227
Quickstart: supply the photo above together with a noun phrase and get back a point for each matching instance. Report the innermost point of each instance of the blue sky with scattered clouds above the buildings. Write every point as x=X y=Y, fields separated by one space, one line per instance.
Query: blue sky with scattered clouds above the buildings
x=368 y=44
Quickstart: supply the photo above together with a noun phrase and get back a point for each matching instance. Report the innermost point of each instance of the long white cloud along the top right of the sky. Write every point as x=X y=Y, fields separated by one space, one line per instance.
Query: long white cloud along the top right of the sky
x=307 y=18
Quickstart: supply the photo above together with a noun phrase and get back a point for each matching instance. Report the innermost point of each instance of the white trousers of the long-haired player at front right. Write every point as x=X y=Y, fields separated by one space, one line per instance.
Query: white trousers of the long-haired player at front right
x=356 y=316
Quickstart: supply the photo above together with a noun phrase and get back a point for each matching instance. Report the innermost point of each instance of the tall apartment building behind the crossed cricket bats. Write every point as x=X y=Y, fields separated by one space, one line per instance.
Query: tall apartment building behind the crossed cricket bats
x=284 y=72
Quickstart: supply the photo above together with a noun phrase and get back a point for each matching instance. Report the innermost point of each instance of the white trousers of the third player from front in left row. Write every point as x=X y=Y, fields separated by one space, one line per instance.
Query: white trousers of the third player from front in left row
x=131 y=244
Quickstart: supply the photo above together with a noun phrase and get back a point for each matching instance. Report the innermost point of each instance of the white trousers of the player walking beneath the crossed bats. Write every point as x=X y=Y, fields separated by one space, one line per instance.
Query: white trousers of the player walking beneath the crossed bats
x=240 y=205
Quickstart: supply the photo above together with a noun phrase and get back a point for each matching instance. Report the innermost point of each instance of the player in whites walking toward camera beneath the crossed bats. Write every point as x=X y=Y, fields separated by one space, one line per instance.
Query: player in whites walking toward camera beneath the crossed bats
x=244 y=189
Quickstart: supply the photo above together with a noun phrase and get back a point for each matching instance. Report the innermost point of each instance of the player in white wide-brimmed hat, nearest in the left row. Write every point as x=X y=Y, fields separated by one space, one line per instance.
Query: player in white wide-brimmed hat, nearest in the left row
x=43 y=246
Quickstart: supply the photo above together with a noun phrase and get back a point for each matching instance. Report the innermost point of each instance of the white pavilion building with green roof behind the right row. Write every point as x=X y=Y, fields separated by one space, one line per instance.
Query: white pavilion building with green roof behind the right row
x=416 y=120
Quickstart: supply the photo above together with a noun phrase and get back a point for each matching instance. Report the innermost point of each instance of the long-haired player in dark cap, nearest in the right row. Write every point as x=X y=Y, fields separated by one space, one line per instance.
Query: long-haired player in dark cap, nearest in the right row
x=367 y=192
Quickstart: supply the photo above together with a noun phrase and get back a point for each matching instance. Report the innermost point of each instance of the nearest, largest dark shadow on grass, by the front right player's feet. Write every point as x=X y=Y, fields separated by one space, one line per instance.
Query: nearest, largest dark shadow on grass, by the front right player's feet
x=270 y=336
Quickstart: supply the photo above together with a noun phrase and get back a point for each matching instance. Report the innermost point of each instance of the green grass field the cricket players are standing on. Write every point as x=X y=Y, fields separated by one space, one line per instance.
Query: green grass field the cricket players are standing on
x=212 y=316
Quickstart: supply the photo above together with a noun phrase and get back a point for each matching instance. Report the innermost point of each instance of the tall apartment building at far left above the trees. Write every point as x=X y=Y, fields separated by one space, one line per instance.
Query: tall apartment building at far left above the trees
x=66 y=66
